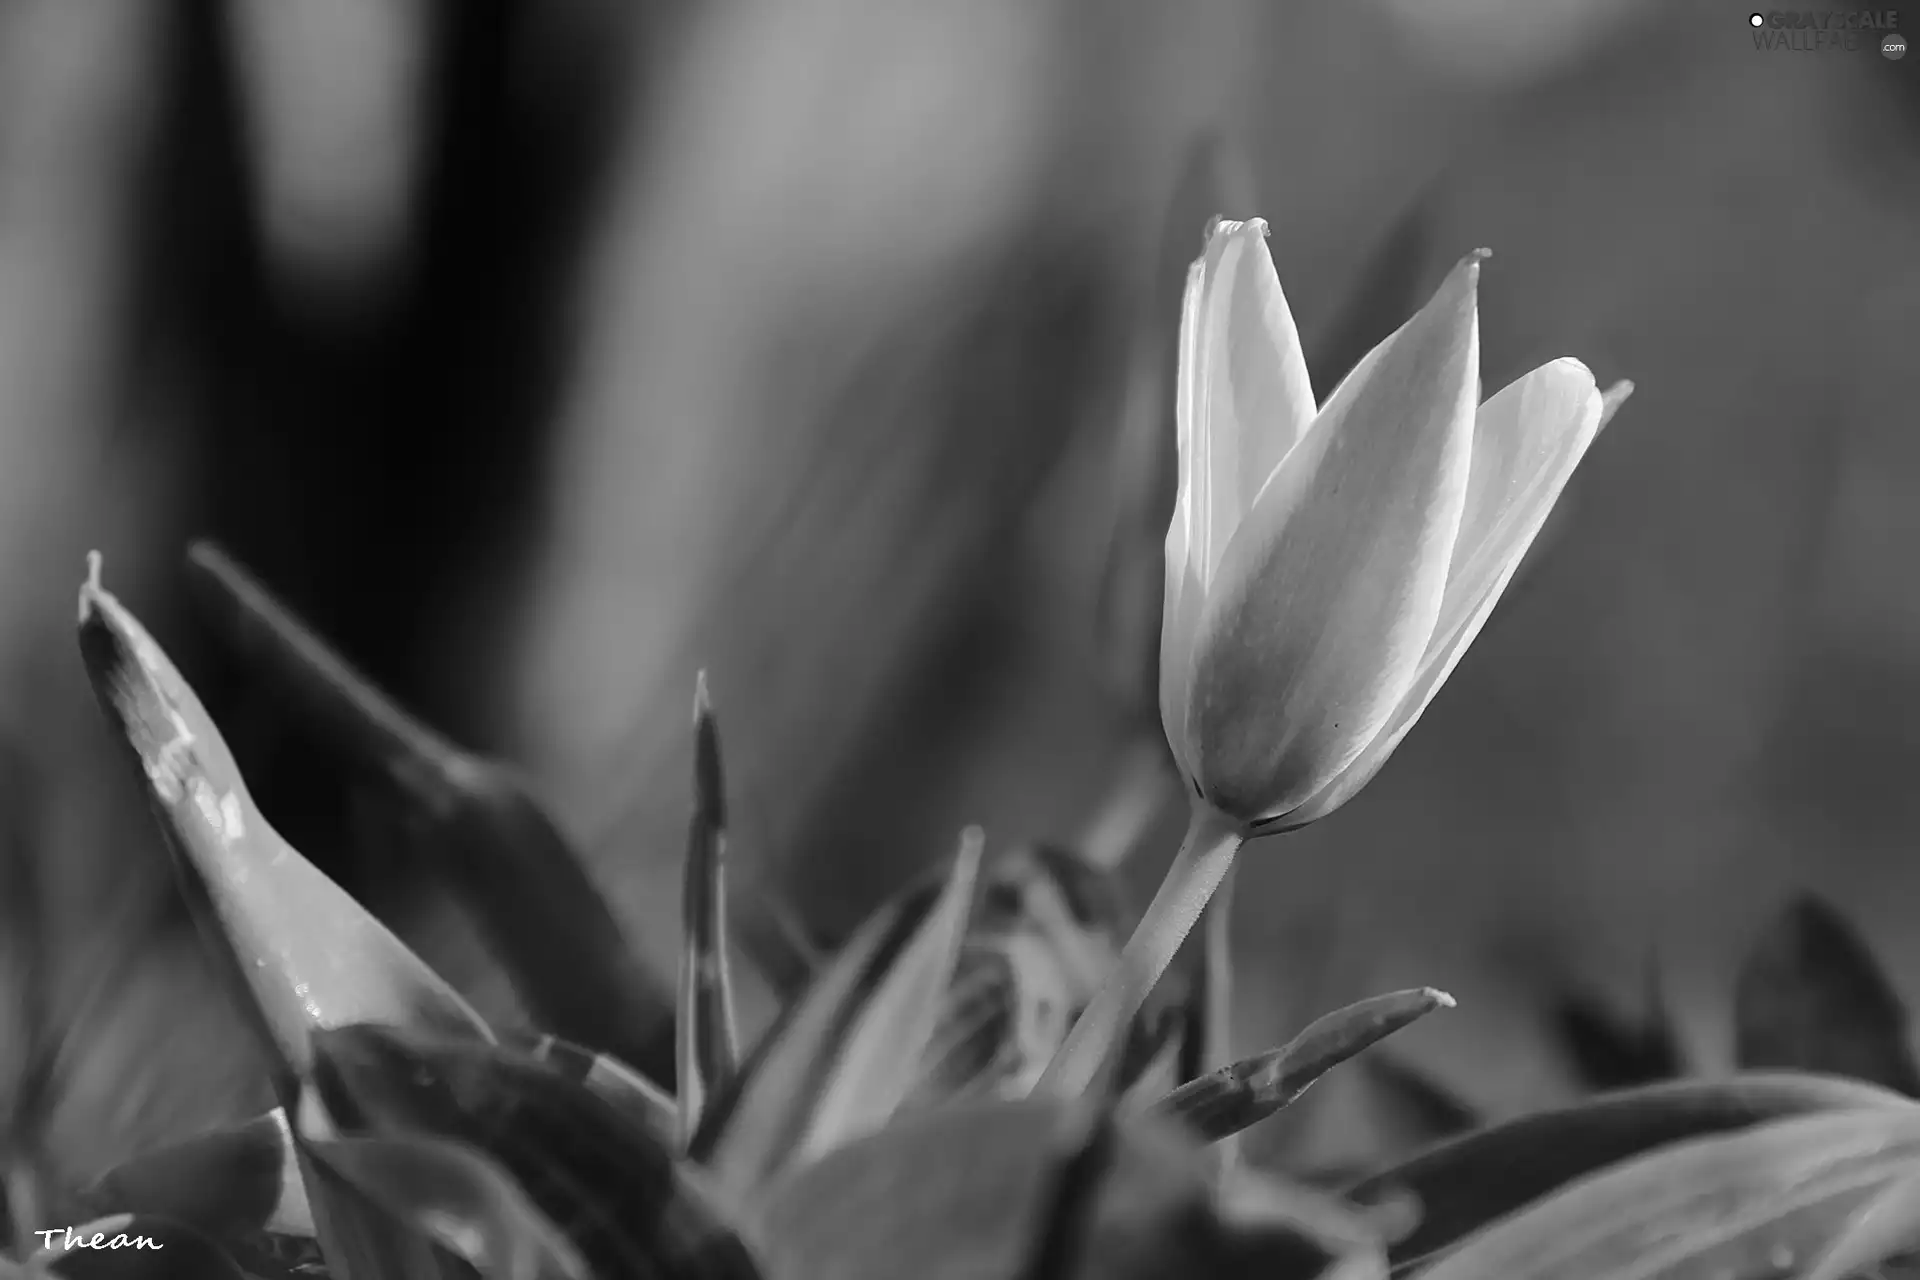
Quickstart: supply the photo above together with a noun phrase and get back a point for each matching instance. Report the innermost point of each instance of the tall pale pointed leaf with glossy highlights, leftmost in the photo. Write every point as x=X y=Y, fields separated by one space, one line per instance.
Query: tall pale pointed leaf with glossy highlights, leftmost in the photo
x=304 y=953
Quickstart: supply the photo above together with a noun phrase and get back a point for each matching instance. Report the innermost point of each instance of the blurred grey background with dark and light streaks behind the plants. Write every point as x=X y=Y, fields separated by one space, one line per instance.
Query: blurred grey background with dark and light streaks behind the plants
x=542 y=356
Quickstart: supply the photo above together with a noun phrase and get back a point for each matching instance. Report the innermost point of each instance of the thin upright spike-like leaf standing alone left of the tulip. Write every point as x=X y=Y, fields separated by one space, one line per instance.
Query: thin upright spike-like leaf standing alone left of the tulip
x=708 y=1043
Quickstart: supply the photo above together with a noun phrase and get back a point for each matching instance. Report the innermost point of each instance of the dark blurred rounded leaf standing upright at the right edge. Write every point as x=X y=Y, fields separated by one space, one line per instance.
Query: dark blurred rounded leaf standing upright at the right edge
x=1812 y=997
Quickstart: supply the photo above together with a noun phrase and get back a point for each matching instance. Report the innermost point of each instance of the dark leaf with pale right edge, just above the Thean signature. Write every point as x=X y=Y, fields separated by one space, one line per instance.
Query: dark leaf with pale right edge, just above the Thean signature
x=226 y=1183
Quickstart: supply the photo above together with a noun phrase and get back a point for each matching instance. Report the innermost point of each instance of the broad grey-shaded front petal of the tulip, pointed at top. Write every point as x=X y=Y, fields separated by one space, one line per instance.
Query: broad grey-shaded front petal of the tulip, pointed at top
x=1330 y=594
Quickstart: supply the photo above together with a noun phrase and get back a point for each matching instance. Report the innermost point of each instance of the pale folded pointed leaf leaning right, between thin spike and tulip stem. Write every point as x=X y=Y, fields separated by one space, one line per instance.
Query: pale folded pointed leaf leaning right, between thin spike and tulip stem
x=850 y=1053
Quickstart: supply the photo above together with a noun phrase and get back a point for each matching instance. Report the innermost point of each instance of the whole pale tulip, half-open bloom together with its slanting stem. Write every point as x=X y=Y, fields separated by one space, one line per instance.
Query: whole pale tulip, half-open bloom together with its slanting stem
x=1326 y=567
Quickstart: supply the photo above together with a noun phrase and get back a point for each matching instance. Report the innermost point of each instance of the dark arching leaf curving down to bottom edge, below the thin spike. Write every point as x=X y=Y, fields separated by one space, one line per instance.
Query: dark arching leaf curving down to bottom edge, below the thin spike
x=604 y=1179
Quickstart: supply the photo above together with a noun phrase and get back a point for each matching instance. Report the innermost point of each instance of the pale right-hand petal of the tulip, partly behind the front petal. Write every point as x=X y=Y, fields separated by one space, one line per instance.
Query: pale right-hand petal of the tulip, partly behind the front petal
x=1527 y=442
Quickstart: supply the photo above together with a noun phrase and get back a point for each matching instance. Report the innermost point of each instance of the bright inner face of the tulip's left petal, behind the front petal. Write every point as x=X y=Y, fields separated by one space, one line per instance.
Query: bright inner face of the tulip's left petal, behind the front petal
x=1245 y=398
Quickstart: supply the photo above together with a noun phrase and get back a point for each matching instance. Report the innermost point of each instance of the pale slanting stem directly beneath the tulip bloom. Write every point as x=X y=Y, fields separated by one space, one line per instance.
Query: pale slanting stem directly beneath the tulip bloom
x=1197 y=872
